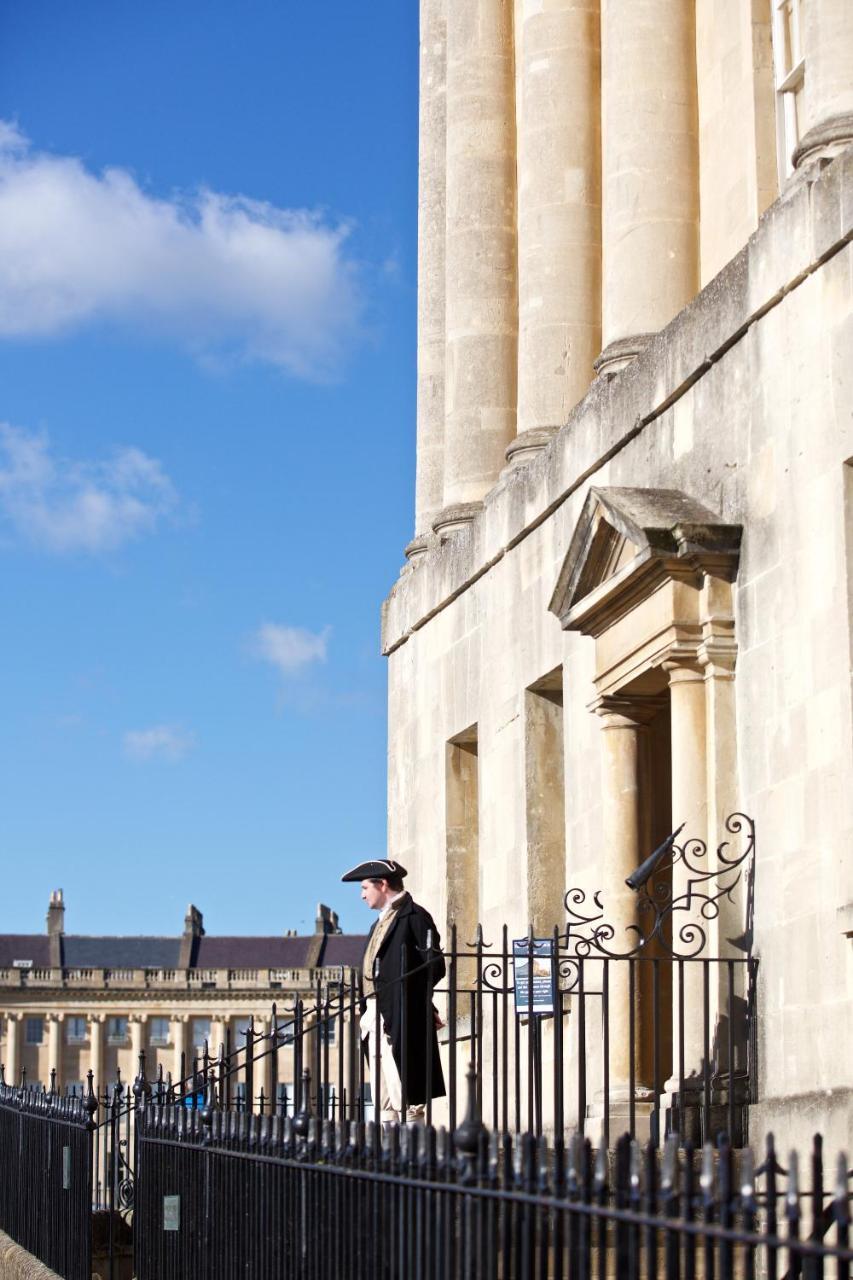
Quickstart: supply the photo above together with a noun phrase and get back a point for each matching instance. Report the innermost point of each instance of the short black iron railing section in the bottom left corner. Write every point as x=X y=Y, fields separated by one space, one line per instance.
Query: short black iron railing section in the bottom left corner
x=45 y=1178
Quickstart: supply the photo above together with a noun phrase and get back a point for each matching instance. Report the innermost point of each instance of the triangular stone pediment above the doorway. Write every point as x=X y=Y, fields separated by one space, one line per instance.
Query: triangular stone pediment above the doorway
x=624 y=533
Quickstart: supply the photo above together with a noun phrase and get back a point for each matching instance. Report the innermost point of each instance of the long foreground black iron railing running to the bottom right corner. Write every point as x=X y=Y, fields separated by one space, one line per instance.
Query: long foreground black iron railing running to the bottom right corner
x=225 y=1195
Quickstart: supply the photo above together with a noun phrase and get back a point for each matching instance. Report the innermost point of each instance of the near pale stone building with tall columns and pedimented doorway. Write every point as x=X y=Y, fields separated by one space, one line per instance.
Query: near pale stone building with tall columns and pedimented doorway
x=628 y=601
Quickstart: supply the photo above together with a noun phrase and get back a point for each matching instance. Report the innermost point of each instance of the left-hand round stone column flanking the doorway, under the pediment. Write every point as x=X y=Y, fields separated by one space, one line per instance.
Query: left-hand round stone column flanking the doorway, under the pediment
x=622 y=723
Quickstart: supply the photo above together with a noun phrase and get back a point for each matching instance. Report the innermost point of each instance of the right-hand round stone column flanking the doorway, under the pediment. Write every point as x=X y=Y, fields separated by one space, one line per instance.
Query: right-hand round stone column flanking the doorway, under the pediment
x=690 y=807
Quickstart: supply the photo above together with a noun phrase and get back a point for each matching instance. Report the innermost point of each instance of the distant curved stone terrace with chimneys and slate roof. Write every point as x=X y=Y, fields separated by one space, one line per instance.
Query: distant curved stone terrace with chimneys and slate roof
x=72 y=1004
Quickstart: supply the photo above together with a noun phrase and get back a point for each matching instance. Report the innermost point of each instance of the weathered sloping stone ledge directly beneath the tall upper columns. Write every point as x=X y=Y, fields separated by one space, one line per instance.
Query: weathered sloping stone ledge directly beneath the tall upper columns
x=809 y=225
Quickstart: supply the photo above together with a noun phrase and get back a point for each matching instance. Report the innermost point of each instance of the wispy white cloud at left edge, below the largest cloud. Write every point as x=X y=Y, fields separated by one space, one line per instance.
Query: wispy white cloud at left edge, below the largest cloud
x=62 y=505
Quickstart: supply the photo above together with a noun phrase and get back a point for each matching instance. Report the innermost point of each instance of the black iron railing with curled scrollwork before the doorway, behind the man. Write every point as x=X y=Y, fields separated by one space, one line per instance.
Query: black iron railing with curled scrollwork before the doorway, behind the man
x=649 y=1026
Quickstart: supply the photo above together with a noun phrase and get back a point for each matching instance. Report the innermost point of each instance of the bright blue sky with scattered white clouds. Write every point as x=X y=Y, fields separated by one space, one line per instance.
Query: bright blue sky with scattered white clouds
x=208 y=237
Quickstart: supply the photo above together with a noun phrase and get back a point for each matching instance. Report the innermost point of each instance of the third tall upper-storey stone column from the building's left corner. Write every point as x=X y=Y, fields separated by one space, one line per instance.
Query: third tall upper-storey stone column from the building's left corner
x=558 y=80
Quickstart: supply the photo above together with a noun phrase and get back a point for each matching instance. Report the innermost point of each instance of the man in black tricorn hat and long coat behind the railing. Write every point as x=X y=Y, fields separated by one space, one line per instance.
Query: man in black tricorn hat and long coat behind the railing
x=403 y=963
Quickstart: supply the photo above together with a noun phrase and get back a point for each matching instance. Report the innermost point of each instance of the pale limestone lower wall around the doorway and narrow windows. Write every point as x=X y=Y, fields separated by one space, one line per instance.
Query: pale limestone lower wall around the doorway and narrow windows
x=746 y=404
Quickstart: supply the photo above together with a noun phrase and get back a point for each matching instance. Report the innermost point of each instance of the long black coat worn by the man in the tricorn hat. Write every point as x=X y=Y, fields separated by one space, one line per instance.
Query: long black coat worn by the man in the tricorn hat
x=409 y=931
